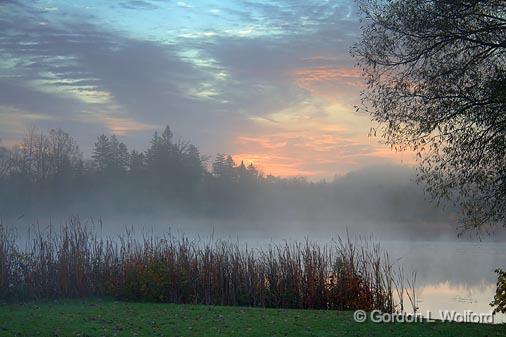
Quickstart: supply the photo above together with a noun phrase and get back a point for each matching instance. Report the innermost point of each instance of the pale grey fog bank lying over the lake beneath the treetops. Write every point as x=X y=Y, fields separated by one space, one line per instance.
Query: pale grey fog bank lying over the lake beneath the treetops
x=380 y=200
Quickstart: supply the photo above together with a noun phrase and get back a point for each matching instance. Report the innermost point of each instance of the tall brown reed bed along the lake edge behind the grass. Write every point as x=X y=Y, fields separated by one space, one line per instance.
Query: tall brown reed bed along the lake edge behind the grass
x=76 y=262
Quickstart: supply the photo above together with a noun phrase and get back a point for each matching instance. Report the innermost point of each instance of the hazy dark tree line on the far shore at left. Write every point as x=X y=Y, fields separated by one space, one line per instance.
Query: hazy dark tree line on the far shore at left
x=47 y=170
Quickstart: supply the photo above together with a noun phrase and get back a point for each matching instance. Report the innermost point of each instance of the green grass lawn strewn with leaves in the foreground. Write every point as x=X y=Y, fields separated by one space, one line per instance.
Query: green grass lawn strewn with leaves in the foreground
x=110 y=318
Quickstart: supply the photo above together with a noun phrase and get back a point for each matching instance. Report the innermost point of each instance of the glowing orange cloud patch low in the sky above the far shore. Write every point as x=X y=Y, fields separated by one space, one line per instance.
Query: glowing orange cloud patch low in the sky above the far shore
x=313 y=138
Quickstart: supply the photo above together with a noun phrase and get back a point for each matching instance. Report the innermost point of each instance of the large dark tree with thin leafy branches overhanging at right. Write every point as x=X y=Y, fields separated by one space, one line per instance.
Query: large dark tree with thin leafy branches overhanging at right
x=436 y=82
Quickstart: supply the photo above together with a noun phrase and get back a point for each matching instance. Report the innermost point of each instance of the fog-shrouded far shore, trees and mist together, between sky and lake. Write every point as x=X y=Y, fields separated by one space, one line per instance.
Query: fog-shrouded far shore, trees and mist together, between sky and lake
x=46 y=180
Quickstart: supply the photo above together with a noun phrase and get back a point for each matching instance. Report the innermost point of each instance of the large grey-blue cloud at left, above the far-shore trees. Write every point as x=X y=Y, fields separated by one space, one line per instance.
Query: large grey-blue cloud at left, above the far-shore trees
x=82 y=74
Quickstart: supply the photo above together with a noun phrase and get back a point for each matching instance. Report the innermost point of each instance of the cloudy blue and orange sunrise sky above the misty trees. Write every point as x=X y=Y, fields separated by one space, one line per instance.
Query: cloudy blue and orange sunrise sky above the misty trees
x=269 y=82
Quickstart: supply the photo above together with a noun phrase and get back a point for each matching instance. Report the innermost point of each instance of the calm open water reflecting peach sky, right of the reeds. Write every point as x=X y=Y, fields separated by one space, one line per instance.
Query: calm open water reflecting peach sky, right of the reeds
x=451 y=275
